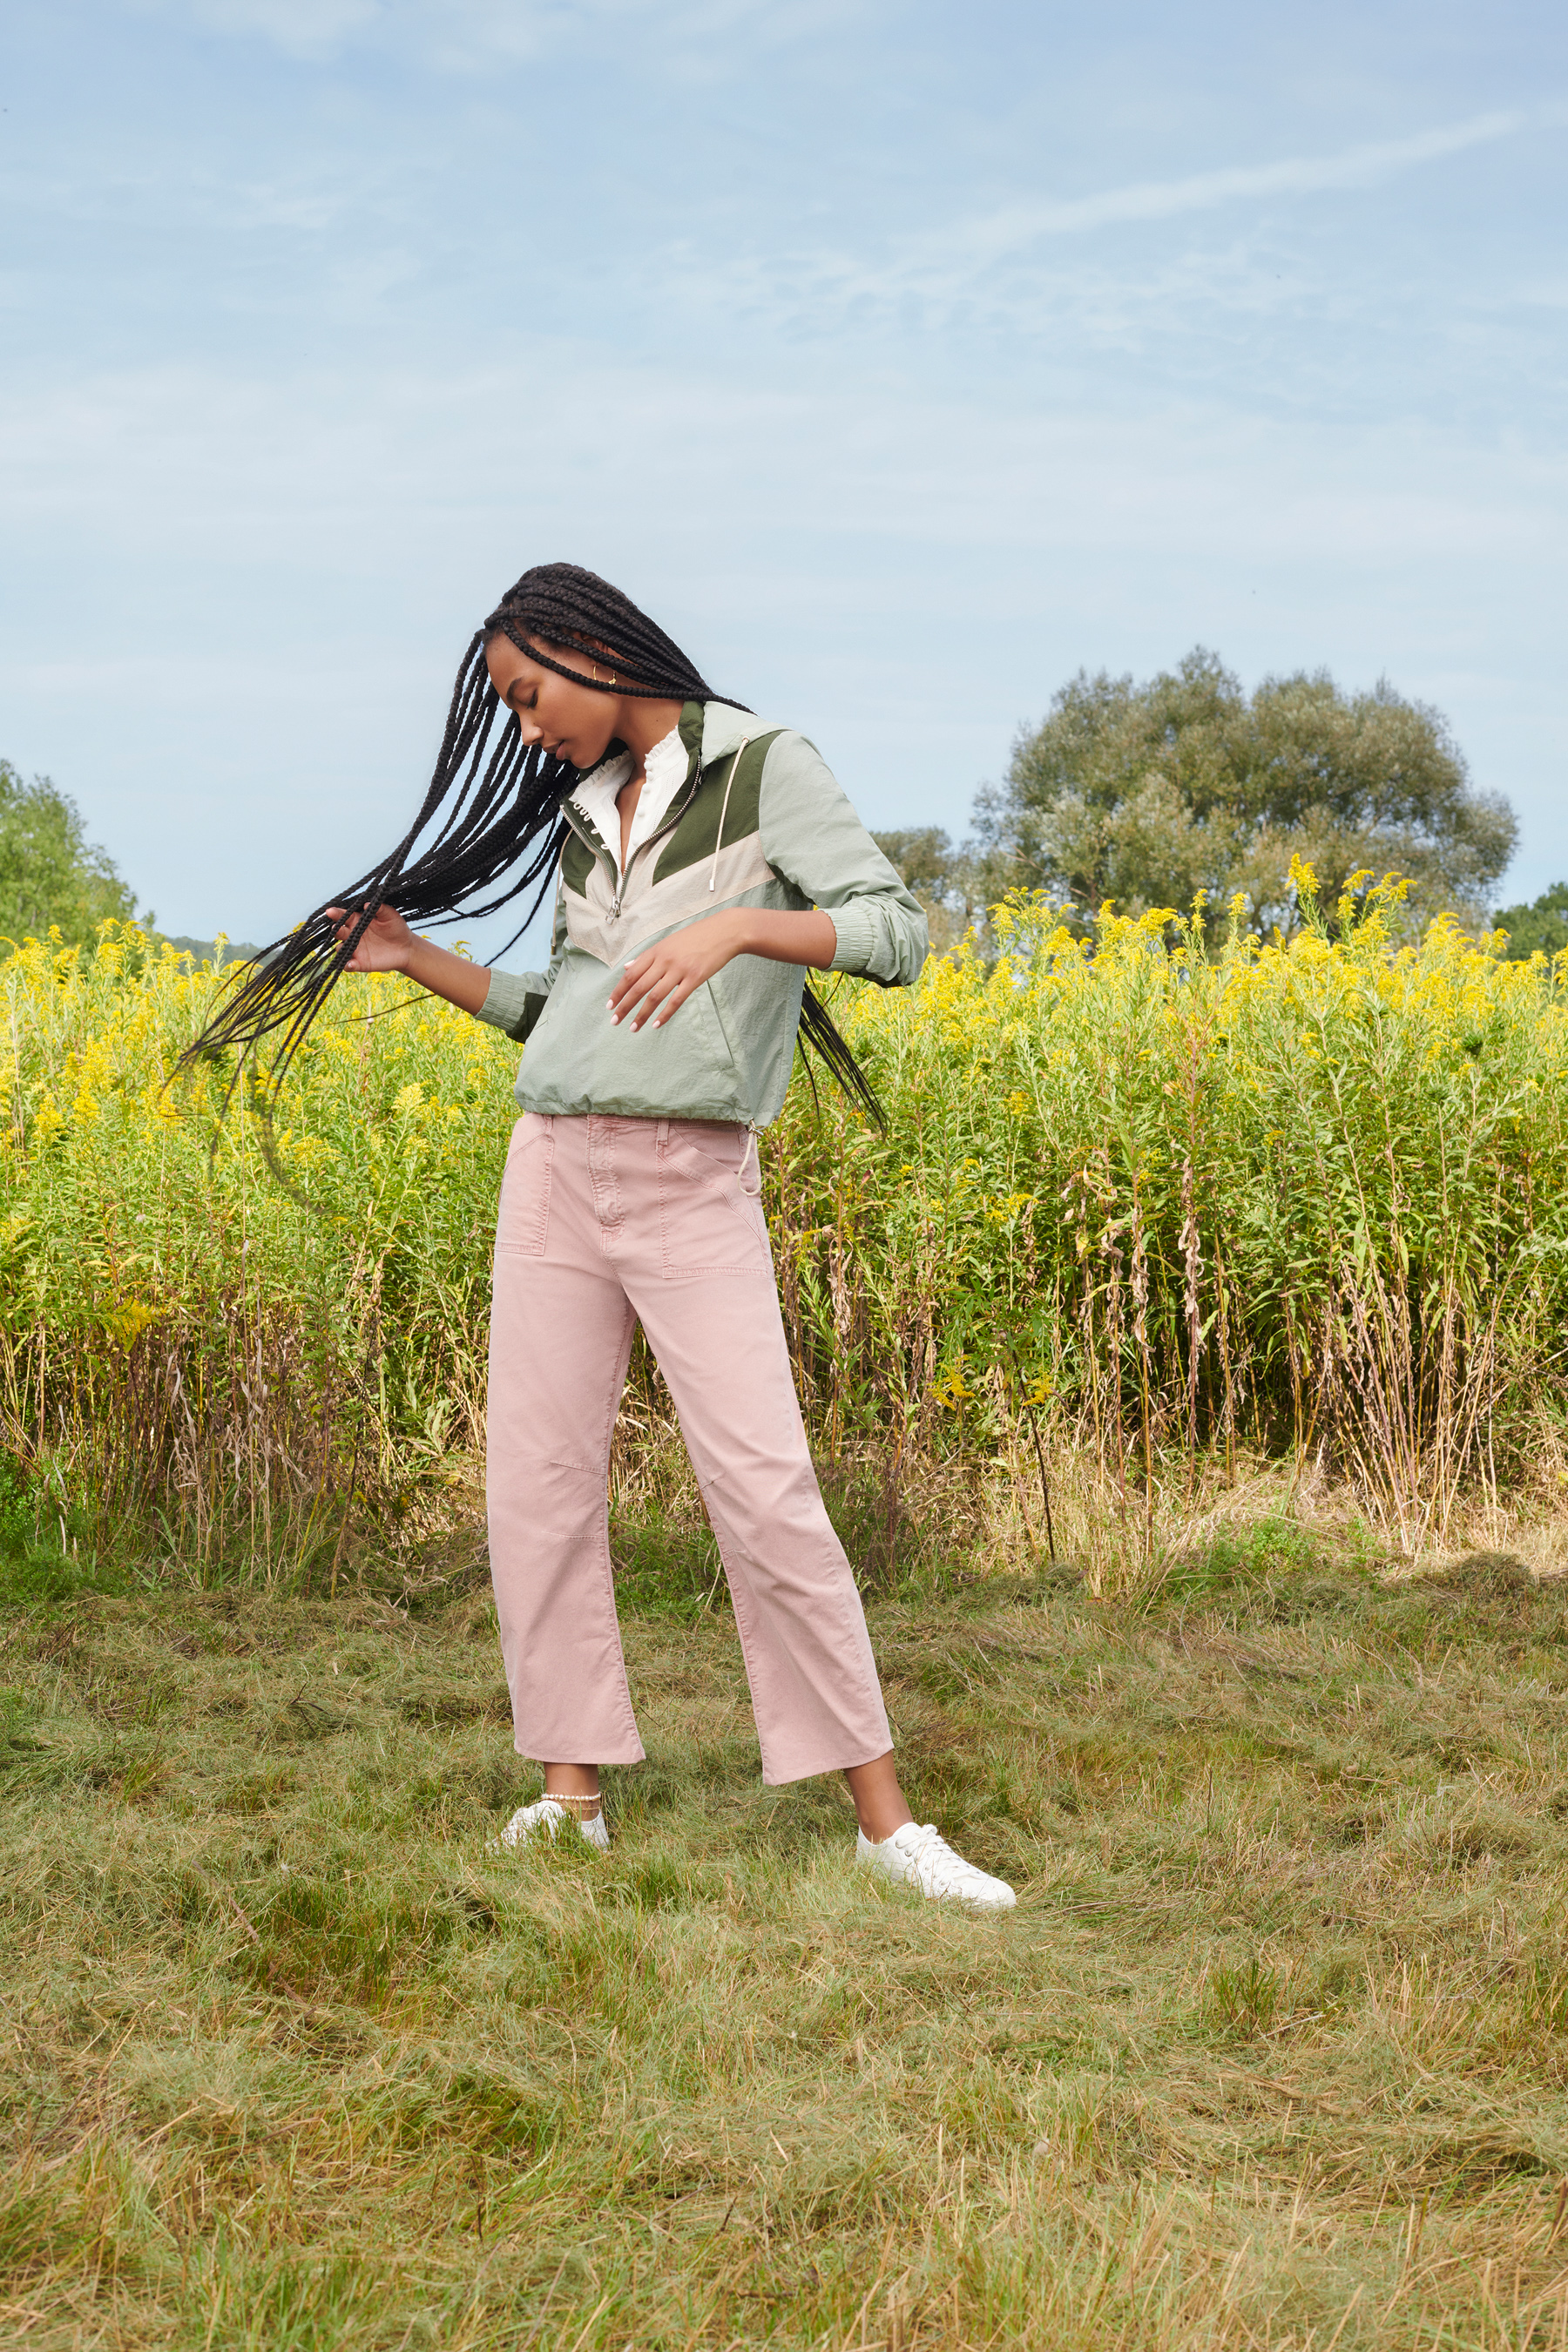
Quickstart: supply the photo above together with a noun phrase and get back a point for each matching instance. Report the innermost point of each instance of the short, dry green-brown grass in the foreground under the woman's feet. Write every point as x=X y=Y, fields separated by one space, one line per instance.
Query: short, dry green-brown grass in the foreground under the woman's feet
x=1273 y=2052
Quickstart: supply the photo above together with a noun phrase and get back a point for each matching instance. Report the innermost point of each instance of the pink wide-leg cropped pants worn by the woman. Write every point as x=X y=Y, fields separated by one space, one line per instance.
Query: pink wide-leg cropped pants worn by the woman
x=608 y=1224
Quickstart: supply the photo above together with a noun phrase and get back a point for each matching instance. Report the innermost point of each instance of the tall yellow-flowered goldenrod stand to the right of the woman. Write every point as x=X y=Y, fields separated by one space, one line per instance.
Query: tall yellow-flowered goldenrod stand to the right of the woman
x=1287 y=1196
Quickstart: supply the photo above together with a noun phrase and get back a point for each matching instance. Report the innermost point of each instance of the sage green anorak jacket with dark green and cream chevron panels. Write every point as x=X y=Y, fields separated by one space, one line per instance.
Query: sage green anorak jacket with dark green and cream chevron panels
x=758 y=822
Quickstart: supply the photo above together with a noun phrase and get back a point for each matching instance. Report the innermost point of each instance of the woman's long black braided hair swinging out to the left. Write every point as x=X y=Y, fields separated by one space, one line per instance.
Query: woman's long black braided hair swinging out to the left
x=490 y=824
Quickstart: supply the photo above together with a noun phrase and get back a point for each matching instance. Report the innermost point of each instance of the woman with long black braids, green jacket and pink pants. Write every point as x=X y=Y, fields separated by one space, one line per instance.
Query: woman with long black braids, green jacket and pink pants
x=704 y=864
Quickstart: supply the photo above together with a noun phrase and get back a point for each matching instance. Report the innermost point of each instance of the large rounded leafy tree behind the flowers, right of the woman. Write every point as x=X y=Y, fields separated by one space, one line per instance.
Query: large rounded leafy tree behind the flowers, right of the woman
x=1148 y=794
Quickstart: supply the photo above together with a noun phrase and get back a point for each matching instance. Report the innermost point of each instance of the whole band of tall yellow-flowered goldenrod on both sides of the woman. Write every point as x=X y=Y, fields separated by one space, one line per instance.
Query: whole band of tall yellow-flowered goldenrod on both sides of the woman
x=1137 y=1198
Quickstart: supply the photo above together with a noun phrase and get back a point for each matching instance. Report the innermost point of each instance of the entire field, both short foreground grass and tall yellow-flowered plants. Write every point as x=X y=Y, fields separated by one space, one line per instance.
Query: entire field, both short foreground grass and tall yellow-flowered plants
x=1238 y=1281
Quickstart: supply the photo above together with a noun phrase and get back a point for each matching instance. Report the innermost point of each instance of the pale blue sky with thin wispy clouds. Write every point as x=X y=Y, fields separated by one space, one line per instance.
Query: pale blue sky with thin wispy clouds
x=899 y=359
